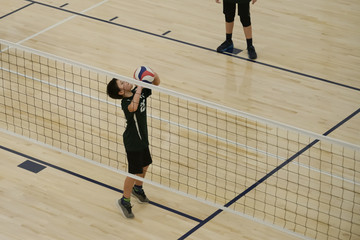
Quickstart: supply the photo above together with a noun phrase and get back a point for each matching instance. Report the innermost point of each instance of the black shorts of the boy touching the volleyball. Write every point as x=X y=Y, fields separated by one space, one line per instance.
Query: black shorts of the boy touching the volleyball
x=137 y=160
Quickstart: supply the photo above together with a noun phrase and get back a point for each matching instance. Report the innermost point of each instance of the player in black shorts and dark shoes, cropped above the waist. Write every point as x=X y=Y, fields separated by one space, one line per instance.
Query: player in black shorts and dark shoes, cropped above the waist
x=229 y=8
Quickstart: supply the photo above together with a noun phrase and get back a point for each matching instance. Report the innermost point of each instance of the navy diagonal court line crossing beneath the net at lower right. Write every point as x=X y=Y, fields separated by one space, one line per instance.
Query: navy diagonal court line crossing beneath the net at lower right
x=269 y=175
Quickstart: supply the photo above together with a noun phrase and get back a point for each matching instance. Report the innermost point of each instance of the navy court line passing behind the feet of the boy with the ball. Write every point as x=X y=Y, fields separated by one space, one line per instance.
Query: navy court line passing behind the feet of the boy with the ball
x=91 y=180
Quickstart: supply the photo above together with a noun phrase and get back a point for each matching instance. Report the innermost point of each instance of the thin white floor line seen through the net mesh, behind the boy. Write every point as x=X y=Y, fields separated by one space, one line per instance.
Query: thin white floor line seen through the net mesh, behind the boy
x=192 y=129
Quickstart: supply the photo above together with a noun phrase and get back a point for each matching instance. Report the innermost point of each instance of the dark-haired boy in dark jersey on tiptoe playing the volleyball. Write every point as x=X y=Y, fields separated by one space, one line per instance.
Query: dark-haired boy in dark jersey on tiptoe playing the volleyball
x=135 y=137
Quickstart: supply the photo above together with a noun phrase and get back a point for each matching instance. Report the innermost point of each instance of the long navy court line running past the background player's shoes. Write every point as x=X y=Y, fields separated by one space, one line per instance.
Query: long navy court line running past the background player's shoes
x=200 y=47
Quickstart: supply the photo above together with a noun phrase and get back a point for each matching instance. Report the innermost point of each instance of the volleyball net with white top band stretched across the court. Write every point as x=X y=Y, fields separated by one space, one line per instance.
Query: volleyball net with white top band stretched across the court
x=291 y=178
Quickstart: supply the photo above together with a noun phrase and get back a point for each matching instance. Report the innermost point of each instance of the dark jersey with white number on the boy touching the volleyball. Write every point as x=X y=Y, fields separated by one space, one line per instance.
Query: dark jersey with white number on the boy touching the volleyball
x=136 y=134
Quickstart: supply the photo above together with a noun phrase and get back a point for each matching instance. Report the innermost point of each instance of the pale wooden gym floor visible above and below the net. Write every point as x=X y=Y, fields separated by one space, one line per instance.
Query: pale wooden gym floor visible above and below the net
x=306 y=75
